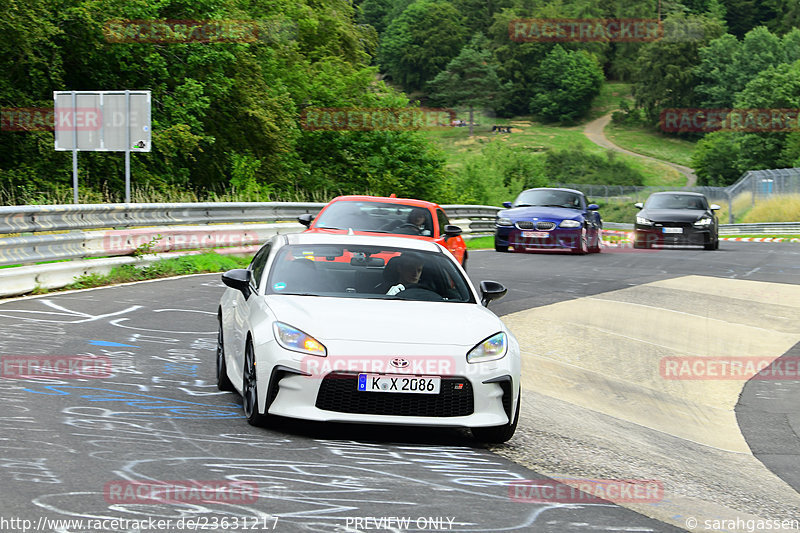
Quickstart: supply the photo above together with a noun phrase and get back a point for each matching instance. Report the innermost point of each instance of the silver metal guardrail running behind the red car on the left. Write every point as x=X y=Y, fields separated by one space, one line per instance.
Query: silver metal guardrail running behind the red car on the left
x=191 y=226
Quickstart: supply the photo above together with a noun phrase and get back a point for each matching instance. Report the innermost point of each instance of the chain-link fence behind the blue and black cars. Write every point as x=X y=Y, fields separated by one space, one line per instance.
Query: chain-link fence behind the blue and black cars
x=754 y=185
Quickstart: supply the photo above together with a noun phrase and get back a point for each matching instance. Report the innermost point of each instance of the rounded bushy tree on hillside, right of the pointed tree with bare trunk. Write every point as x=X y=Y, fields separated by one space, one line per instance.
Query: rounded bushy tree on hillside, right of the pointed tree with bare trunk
x=568 y=81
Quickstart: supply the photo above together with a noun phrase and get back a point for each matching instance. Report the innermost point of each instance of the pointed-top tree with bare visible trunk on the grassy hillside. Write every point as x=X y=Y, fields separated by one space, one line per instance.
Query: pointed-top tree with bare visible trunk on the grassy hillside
x=469 y=80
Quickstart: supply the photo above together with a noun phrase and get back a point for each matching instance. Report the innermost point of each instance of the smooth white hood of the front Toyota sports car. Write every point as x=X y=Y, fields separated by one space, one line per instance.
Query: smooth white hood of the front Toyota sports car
x=389 y=321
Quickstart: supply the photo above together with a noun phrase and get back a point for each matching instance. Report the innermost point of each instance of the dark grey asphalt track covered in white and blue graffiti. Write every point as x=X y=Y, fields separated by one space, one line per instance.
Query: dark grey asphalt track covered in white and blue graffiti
x=66 y=445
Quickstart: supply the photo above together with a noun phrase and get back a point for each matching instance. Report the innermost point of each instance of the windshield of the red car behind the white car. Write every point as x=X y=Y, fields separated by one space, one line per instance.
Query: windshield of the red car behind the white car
x=376 y=217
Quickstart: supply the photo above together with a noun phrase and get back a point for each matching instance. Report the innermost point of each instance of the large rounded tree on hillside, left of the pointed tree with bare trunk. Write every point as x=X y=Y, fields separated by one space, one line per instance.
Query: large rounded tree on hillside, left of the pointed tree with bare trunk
x=419 y=43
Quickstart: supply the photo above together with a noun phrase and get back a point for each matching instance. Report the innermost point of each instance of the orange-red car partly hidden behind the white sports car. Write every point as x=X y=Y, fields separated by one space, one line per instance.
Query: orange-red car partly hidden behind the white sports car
x=416 y=219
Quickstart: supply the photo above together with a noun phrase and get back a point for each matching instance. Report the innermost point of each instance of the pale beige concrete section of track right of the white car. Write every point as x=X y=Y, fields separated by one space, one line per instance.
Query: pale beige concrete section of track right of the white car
x=603 y=352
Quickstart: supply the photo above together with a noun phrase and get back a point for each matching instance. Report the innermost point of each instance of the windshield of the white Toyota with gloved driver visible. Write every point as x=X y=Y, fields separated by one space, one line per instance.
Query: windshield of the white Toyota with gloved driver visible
x=367 y=272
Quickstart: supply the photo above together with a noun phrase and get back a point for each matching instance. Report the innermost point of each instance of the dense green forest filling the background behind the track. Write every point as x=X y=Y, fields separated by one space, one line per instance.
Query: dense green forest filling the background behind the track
x=227 y=115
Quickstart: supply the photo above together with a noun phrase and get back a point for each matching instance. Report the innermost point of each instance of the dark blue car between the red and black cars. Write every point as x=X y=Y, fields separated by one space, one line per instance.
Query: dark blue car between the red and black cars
x=548 y=218
